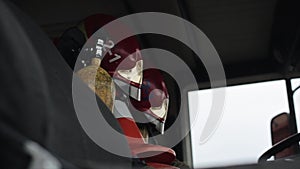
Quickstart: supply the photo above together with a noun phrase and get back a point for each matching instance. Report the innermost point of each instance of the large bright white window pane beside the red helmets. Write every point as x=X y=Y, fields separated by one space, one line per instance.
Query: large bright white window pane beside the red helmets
x=244 y=131
